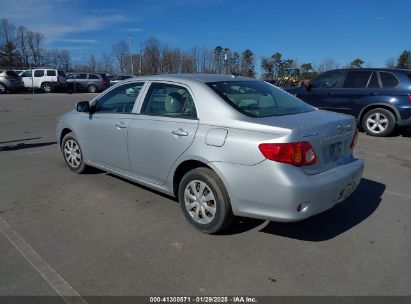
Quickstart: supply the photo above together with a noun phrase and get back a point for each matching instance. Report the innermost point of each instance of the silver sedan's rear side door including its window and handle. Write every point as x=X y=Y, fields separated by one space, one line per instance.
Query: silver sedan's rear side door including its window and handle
x=165 y=128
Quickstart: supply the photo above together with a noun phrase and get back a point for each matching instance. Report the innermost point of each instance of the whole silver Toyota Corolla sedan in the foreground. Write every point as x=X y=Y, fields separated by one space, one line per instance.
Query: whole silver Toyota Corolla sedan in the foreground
x=224 y=146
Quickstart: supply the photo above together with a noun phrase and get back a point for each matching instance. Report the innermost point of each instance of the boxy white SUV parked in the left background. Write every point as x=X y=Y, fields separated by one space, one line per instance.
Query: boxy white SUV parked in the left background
x=45 y=79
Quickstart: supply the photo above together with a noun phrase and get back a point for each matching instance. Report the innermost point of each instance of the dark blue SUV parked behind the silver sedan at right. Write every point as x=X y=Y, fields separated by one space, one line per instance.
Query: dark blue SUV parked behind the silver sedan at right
x=380 y=99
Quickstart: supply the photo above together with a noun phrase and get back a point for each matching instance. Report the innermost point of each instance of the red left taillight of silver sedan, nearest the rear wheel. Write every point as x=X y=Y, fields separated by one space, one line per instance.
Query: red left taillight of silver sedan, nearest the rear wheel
x=297 y=153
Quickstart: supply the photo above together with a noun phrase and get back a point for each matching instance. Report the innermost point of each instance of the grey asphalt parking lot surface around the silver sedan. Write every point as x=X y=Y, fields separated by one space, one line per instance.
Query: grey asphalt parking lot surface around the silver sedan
x=97 y=234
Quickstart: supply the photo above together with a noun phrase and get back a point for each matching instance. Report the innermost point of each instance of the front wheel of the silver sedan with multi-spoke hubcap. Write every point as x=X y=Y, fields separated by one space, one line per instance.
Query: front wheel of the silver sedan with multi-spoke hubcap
x=77 y=165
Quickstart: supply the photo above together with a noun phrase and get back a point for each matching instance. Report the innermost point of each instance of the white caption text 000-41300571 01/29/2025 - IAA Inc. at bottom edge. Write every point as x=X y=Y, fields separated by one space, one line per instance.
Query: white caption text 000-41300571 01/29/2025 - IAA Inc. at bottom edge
x=203 y=299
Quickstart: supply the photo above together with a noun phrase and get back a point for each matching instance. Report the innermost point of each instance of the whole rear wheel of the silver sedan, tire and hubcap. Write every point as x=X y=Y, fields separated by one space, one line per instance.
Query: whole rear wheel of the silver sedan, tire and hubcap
x=204 y=200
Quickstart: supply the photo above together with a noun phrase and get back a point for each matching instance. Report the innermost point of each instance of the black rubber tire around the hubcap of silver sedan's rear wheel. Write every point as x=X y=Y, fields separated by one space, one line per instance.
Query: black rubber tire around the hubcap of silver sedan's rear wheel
x=223 y=215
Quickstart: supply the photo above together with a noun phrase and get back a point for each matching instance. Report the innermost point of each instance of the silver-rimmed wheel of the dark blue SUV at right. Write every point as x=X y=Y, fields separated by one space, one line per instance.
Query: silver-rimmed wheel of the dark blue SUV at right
x=379 y=122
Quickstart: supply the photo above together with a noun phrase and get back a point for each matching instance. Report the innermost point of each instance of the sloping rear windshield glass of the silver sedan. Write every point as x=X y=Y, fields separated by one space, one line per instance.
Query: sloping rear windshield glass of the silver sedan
x=258 y=98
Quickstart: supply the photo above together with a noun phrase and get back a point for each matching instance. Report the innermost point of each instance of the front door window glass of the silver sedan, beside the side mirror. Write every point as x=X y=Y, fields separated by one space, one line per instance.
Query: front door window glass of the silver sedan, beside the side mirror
x=119 y=100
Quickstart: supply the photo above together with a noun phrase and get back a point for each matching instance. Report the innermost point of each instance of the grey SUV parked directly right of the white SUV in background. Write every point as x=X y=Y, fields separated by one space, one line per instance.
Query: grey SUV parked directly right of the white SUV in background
x=90 y=82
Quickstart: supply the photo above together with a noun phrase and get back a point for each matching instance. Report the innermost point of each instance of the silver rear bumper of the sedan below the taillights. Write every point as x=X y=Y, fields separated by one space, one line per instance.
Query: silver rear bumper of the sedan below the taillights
x=280 y=192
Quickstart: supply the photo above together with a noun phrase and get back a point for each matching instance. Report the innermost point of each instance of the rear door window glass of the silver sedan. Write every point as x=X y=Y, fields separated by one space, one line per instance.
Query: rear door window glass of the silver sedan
x=169 y=100
